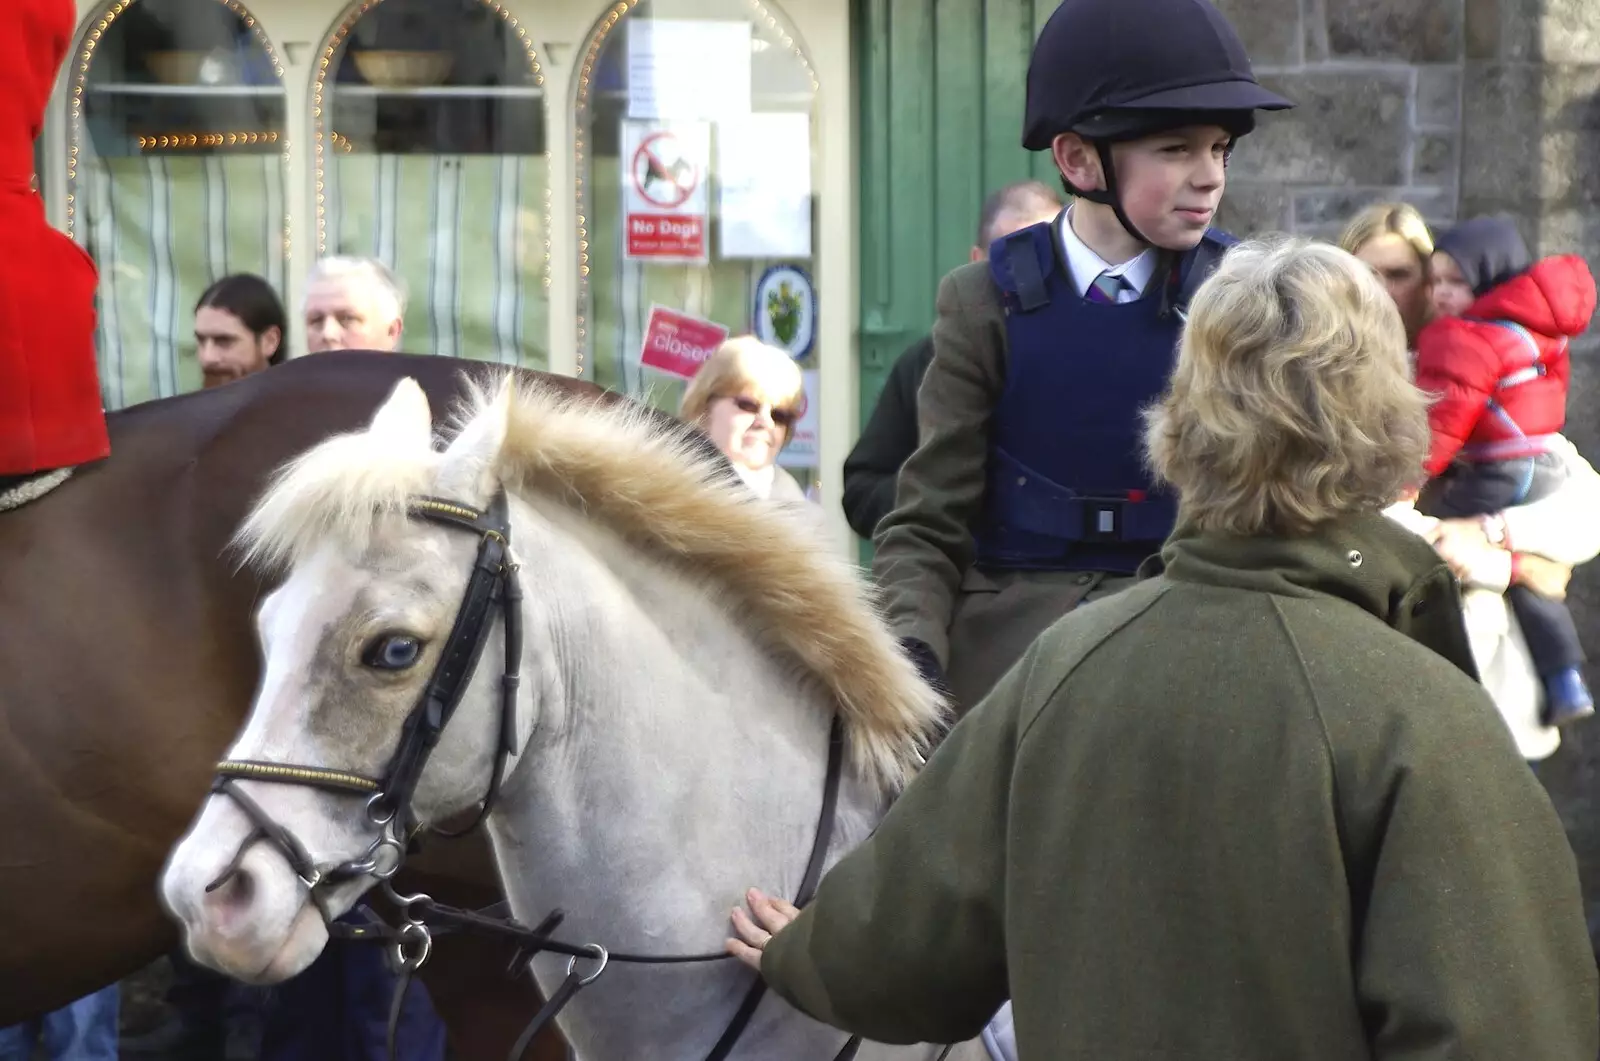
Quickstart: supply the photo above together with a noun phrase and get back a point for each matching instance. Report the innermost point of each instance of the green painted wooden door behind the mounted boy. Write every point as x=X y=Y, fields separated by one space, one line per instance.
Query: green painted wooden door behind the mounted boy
x=942 y=126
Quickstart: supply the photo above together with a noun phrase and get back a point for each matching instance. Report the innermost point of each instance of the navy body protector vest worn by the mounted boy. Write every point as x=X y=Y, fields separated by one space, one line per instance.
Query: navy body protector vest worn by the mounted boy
x=1066 y=481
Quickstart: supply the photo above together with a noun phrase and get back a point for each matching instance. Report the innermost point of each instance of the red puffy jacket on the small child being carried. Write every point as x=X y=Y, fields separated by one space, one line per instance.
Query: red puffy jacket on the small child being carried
x=1502 y=388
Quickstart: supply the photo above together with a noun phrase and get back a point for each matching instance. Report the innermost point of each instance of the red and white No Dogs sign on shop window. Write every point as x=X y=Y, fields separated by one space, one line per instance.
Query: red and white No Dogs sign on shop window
x=665 y=190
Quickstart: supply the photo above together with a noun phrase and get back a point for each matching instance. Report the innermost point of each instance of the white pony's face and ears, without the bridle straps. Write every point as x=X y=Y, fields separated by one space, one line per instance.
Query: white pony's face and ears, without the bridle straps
x=351 y=639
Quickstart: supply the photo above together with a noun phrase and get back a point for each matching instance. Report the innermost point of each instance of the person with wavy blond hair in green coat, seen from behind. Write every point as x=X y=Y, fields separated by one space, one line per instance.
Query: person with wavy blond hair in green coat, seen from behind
x=1255 y=807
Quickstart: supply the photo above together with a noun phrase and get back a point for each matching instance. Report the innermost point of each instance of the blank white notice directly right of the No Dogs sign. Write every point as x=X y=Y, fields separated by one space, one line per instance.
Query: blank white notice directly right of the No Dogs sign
x=764 y=186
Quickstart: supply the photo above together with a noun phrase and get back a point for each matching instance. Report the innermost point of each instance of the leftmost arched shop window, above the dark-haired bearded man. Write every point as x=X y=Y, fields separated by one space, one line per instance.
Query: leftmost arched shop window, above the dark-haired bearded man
x=175 y=177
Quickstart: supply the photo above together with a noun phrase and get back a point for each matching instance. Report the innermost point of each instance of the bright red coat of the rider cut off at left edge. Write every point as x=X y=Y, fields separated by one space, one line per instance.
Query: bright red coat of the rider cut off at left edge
x=50 y=402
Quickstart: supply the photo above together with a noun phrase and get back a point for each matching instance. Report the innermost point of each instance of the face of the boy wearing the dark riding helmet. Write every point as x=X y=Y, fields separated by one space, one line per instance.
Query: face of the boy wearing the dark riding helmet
x=1172 y=185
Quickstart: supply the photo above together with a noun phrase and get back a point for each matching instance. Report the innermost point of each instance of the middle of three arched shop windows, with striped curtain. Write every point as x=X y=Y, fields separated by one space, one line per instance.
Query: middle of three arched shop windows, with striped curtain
x=433 y=158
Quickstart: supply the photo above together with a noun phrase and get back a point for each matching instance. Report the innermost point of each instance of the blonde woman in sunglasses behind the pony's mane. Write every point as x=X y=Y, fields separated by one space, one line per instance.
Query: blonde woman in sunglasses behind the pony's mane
x=748 y=398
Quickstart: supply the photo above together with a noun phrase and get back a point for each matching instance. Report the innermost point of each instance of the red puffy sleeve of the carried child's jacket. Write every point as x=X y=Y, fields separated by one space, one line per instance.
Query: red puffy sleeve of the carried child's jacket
x=1460 y=370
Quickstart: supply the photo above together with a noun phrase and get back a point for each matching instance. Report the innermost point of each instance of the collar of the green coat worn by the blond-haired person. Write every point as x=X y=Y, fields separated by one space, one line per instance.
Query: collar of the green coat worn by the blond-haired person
x=1369 y=561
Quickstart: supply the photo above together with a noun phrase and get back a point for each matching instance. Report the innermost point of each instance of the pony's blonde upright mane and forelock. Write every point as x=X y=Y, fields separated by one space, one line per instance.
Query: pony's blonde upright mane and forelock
x=646 y=479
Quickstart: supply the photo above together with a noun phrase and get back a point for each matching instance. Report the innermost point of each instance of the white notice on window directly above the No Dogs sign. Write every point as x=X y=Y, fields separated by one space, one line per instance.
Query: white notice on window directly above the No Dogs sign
x=690 y=71
